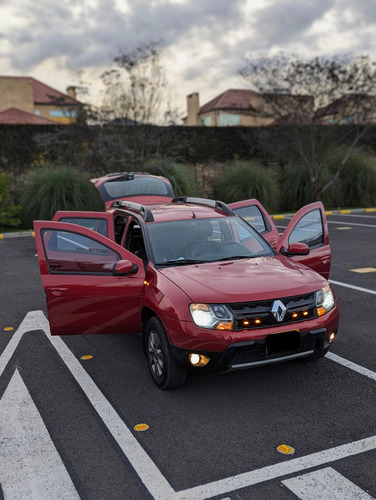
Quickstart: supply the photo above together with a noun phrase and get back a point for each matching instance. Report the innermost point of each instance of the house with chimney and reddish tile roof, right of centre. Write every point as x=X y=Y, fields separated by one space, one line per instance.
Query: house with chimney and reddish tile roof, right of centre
x=245 y=108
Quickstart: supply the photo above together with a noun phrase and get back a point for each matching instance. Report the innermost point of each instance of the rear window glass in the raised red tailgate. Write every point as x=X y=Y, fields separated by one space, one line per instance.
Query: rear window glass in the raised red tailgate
x=123 y=187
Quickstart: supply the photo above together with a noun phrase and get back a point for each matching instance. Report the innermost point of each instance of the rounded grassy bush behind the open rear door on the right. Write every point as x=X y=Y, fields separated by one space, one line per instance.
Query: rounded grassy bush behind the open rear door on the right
x=244 y=180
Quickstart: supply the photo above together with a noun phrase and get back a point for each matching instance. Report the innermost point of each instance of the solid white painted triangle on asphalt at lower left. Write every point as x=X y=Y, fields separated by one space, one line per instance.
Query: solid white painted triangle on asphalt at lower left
x=30 y=465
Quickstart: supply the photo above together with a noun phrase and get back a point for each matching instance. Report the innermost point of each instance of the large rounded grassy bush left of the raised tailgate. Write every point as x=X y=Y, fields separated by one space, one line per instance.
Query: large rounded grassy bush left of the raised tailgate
x=57 y=188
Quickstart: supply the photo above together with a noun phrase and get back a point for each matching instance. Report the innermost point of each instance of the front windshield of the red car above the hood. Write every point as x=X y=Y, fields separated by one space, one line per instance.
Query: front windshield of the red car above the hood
x=205 y=240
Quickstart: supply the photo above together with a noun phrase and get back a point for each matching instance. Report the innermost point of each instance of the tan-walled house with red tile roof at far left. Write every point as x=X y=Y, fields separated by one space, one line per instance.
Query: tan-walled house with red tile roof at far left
x=21 y=97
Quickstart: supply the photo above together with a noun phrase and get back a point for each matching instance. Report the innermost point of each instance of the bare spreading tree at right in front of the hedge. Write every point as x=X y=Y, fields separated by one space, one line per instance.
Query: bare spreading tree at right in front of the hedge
x=306 y=96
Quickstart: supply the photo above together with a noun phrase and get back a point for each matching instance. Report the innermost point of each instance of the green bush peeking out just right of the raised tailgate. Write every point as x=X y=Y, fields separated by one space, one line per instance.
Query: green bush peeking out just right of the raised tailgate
x=181 y=178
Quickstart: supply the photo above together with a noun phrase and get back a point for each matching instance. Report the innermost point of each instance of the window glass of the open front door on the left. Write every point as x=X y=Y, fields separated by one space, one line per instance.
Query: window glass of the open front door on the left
x=74 y=253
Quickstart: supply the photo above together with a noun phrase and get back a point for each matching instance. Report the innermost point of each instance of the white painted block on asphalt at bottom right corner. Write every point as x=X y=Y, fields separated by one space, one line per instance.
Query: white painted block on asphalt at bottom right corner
x=325 y=483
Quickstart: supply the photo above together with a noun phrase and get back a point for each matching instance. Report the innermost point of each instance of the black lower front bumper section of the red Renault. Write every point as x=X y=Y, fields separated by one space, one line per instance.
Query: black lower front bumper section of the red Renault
x=274 y=348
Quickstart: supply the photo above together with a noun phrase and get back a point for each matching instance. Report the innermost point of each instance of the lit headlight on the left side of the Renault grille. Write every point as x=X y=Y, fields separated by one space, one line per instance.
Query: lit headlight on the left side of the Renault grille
x=213 y=316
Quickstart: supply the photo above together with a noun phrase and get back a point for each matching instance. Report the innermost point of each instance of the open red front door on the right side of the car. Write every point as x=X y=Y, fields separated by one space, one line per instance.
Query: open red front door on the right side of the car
x=309 y=226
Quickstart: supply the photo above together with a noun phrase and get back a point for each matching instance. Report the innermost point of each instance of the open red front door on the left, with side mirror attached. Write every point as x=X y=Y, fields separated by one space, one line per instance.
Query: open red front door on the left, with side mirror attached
x=92 y=285
